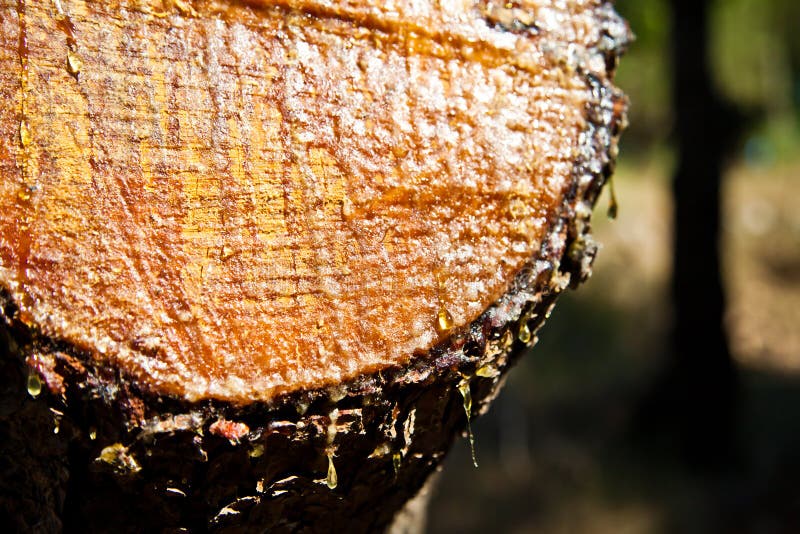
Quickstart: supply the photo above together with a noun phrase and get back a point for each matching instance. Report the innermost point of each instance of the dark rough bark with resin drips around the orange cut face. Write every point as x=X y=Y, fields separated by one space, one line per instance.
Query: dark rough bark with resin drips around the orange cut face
x=99 y=454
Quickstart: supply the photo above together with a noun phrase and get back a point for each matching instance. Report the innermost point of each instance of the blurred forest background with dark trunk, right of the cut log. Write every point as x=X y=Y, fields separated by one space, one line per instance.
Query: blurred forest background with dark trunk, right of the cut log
x=664 y=394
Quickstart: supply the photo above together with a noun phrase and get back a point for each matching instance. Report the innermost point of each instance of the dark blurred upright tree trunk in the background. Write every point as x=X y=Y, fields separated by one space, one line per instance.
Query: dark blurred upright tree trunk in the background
x=696 y=398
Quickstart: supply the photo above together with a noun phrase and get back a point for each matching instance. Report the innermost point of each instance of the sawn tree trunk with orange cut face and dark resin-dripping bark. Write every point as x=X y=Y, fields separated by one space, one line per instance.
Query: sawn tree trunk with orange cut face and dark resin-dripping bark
x=261 y=261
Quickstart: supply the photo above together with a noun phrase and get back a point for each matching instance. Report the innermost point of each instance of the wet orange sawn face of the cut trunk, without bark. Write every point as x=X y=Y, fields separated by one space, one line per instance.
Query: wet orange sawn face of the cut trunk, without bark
x=238 y=200
